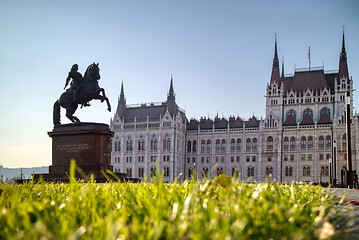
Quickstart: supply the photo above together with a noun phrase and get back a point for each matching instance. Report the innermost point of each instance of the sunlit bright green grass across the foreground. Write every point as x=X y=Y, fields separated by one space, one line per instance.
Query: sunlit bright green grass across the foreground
x=214 y=209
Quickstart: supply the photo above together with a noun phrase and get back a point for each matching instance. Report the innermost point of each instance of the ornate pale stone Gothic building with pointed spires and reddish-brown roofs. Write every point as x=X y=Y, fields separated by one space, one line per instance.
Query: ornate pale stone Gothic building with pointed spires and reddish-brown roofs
x=301 y=138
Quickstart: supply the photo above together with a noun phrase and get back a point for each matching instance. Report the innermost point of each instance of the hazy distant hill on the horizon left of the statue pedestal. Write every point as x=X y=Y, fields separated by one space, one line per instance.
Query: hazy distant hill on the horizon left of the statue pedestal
x=8 y=173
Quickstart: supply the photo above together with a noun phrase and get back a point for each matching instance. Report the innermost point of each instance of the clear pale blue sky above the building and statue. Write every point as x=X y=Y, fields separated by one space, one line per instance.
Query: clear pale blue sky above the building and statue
x=219 y=52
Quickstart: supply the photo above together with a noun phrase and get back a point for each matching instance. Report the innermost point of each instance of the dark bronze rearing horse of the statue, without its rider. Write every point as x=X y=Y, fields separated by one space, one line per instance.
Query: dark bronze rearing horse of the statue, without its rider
x=89 y=90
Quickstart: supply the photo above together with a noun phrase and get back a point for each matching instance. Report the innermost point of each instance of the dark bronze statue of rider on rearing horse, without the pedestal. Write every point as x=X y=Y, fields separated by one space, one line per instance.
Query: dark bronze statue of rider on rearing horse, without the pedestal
x=82 y=90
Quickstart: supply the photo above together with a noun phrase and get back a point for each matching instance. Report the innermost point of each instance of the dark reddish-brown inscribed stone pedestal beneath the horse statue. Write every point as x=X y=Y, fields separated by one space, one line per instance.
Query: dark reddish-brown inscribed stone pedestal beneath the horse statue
x=89 y=144
